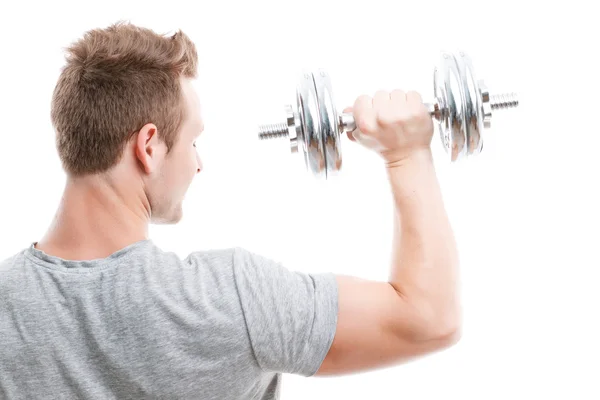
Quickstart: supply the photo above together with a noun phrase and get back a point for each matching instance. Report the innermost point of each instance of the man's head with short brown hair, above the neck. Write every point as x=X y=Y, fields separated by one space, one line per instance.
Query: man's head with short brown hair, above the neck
x=124 y=105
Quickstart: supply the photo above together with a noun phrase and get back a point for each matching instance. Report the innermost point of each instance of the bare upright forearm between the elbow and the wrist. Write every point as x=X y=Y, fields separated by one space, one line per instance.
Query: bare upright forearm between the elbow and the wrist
x=425 y=259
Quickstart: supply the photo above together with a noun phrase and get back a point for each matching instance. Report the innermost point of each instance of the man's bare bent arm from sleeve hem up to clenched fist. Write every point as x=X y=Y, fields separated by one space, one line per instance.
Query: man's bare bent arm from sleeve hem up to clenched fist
x=417 y=311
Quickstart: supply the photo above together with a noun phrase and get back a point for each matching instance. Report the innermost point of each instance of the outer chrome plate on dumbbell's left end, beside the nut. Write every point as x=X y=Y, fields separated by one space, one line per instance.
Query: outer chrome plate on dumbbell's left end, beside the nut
x=310 y=139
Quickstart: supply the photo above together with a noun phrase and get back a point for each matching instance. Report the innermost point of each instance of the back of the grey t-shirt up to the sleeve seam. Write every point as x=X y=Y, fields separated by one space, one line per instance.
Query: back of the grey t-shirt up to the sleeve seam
x=140 y=323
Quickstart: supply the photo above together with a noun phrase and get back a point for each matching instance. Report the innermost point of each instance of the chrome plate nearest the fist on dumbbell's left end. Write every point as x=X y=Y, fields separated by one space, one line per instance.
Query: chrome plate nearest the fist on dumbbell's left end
x=328 y=117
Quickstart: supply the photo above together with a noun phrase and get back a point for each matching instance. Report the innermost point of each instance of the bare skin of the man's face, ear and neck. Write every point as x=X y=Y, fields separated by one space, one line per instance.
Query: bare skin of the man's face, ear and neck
x=103 y=213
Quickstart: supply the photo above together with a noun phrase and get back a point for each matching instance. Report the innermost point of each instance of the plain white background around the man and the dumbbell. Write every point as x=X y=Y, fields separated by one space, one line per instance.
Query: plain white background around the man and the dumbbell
x=525 y=212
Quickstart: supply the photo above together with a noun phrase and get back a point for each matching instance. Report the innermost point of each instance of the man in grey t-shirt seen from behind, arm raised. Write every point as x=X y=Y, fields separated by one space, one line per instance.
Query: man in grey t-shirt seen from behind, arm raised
x=96 y=310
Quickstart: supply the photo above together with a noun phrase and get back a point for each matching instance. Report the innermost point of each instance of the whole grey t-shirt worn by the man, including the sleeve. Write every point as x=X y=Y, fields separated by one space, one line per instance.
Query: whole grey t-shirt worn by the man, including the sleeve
x=145 y=324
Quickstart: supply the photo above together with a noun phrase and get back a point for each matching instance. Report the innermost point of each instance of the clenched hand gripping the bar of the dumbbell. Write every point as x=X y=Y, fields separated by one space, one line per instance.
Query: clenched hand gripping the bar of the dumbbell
x=396 y=125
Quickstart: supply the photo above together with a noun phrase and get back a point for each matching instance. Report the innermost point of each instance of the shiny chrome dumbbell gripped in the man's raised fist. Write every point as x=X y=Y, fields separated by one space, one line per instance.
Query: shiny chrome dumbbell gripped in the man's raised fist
x=462 y=108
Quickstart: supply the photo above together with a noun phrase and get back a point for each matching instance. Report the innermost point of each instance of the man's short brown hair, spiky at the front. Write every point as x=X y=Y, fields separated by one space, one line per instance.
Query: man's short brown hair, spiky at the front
x=114 y=82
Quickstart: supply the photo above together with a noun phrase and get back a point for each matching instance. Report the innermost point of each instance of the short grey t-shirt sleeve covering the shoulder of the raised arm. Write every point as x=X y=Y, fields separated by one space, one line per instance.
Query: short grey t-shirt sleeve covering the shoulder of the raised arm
x=291 y=316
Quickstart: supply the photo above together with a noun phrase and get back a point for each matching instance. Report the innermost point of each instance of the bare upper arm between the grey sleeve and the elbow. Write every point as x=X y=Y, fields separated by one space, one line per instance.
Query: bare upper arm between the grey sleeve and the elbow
x=376 y=327
